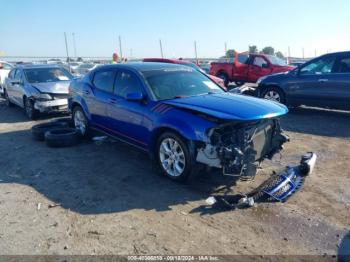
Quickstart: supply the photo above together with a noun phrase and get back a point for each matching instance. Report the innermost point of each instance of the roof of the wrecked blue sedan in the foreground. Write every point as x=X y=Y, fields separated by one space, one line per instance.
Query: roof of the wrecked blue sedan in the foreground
x=142 y=66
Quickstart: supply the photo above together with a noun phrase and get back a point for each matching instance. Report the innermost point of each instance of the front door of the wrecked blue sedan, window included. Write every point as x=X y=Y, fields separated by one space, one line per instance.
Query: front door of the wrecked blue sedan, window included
x=126 y=116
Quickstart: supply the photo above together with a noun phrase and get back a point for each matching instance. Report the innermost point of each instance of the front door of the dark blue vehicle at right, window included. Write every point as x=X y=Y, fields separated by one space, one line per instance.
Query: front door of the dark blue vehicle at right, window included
x=313 y=83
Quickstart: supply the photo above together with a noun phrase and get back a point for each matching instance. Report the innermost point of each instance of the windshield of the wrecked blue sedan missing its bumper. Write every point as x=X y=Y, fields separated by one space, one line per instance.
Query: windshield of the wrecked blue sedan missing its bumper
x=176 y=83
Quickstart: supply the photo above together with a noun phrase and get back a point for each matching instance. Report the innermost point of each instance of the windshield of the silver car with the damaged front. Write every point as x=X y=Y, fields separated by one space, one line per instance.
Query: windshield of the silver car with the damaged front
x=44 y=75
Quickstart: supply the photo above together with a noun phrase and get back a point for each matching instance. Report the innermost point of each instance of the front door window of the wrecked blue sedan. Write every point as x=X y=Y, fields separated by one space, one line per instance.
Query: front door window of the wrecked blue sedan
x=127 y=82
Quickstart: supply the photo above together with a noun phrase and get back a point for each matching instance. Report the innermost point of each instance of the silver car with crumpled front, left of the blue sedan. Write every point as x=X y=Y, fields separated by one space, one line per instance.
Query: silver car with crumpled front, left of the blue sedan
x=38 y=88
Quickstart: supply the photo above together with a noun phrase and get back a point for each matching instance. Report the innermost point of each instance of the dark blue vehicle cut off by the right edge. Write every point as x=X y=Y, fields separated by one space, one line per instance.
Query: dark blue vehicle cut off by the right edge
x=323 y=81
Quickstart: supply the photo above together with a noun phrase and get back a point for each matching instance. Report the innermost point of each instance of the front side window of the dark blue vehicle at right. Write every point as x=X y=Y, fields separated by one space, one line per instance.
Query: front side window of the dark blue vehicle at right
x=319 y=67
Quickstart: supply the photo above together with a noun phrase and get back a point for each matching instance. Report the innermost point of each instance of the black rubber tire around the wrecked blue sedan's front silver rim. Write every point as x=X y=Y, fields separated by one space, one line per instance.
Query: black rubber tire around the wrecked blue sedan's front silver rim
x=189 y=166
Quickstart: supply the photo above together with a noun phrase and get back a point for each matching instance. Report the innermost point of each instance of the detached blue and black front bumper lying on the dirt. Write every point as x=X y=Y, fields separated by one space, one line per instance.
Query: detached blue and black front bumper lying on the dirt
x=278 y=187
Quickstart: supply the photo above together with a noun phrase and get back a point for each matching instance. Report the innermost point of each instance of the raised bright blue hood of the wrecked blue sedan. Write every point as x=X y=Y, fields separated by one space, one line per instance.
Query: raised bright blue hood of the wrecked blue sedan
x=230 y=106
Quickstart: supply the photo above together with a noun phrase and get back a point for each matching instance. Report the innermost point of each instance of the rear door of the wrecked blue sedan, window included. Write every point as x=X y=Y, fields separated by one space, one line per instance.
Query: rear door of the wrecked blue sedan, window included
x=99 y=95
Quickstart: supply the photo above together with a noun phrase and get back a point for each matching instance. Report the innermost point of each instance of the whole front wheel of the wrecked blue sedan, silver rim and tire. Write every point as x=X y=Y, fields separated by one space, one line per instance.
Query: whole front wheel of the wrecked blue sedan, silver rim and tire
x=173 y=156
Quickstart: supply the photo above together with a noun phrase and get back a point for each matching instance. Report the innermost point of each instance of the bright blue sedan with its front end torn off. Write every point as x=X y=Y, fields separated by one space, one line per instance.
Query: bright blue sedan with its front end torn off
x=179 y=116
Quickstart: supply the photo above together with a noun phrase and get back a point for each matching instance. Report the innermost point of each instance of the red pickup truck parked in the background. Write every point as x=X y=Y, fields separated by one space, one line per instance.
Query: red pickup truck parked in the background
x=247 y=67
